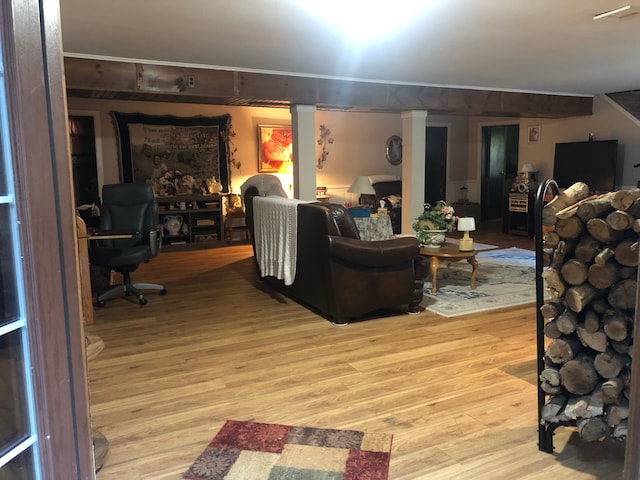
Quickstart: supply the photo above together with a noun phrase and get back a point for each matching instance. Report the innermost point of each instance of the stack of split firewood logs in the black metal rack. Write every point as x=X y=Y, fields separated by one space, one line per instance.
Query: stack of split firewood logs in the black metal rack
x=591 y=258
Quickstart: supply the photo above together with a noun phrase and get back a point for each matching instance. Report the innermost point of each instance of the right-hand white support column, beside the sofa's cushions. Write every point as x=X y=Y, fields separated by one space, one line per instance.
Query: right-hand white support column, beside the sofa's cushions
x=413 y=154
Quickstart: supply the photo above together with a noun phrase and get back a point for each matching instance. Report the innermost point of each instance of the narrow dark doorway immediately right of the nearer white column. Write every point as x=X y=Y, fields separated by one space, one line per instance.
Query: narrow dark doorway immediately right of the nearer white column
x=435 y=171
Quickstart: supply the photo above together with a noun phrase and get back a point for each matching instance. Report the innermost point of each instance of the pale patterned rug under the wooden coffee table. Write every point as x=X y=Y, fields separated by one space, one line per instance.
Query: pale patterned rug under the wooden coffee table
x=505 y=278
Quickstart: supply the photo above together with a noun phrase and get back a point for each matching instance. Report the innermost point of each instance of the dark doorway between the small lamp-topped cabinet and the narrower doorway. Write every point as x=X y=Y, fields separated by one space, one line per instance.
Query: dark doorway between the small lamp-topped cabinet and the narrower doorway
x=499 y=168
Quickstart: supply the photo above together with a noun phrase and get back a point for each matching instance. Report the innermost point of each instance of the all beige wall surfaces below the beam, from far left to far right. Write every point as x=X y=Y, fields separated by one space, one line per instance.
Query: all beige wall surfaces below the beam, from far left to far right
x=359 y=140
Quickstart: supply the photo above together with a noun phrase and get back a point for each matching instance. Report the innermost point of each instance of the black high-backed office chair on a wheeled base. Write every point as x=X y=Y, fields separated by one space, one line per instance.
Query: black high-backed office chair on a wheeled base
x=128 y=211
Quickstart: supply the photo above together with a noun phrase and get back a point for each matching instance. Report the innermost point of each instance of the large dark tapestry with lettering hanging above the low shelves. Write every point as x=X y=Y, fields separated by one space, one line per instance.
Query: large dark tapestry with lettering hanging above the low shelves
x=152 y=146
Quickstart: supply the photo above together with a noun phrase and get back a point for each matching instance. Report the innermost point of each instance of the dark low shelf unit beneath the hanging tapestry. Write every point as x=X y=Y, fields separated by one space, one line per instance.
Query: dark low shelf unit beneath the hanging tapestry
x=202 y=216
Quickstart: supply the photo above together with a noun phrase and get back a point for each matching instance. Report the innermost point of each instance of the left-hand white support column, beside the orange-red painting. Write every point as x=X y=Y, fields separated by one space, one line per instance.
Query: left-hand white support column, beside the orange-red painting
x=304 y=151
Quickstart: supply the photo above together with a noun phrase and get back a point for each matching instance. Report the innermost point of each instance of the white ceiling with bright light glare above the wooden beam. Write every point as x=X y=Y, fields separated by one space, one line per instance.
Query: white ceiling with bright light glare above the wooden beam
x=550 y=46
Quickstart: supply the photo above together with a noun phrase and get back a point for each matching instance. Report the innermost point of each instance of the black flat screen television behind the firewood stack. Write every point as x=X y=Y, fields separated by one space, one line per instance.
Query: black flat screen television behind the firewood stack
x=593 y=163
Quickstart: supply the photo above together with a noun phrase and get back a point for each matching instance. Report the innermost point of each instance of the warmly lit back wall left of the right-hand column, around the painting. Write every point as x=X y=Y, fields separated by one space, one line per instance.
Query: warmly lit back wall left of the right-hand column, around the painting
x=357 y=149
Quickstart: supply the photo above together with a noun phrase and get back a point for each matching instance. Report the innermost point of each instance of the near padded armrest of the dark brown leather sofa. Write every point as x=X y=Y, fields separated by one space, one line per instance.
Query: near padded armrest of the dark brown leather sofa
x=382 y=253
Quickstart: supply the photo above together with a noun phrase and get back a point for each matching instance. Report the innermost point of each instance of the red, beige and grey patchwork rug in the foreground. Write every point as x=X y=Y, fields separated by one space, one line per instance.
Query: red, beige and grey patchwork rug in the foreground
x=257 y=451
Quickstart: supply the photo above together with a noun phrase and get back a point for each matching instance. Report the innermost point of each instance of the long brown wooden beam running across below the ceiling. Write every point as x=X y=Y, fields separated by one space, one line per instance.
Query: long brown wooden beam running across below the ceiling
x=135 y=81
